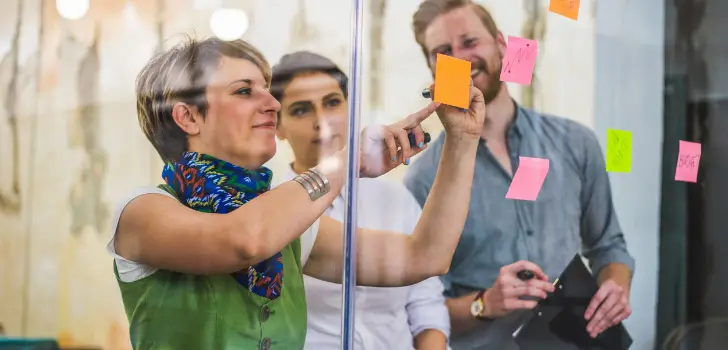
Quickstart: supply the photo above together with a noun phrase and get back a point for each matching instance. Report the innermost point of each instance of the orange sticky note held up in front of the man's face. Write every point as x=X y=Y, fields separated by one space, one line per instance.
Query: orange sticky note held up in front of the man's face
x=452 y=81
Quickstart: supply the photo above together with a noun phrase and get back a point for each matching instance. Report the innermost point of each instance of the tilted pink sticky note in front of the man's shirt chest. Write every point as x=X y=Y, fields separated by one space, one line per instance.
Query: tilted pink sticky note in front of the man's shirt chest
x=529 y=178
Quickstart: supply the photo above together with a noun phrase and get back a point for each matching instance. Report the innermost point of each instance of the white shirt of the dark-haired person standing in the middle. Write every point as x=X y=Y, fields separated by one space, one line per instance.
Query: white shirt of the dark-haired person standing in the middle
x=385 y=318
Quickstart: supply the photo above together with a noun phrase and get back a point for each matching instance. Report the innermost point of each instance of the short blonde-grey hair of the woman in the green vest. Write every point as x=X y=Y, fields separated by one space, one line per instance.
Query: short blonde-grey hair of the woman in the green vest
x=182 y=74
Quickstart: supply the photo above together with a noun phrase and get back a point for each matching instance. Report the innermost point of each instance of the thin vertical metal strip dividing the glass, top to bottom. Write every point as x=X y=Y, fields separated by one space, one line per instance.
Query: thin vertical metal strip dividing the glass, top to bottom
x=352 y=176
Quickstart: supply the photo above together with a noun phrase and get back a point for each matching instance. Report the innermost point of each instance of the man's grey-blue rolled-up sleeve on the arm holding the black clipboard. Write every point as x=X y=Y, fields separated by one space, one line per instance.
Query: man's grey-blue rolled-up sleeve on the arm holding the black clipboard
x=602 y=236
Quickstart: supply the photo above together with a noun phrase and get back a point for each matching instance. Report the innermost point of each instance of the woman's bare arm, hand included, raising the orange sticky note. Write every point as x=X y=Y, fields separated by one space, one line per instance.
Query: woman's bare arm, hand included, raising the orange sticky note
x=387 y=258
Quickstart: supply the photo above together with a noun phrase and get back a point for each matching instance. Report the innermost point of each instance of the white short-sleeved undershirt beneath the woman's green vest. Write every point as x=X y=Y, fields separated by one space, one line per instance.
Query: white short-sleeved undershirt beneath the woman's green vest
x=130 y=271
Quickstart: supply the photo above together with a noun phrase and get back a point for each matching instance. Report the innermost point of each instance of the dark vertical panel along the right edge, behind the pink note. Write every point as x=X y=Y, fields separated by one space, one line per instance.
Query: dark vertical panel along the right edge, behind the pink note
x=692 y=281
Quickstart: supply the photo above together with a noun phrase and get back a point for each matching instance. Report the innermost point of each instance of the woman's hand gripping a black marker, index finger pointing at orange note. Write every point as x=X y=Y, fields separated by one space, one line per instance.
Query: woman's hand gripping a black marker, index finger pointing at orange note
x=384 y=147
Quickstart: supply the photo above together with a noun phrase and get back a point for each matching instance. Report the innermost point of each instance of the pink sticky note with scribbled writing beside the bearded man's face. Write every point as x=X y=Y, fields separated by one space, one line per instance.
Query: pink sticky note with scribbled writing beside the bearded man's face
x=519 y=61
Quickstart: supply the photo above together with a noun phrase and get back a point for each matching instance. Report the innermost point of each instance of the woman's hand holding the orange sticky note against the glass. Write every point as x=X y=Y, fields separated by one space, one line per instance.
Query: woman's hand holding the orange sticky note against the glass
x=463 y=123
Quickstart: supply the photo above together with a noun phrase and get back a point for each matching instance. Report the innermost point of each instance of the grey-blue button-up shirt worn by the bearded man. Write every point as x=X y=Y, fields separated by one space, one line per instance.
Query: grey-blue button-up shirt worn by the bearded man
x=572 y=214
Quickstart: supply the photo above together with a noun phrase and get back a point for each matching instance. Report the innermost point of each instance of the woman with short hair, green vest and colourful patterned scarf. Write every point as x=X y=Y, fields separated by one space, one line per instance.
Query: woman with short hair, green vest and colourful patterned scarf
x=212 y=259
